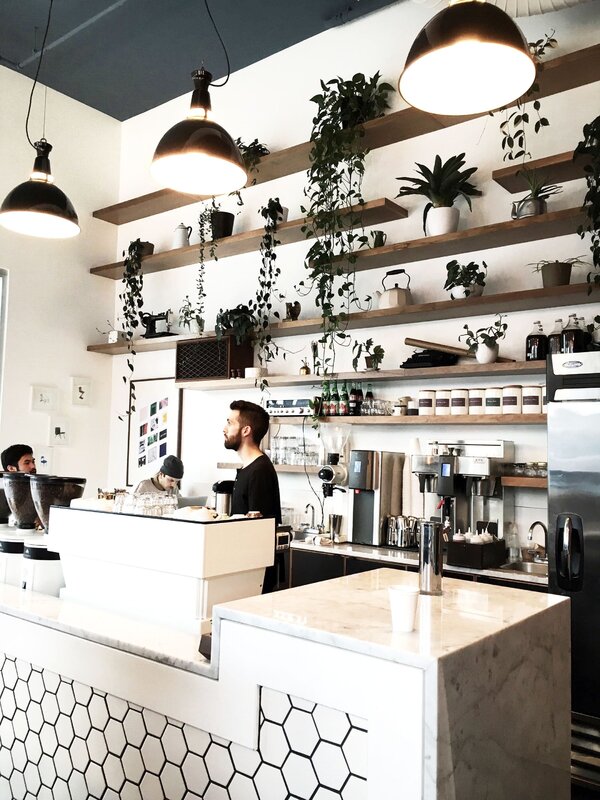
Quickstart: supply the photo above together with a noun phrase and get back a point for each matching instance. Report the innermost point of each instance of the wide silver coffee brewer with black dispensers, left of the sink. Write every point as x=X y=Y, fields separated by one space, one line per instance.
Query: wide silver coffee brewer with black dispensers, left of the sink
x=461 y=481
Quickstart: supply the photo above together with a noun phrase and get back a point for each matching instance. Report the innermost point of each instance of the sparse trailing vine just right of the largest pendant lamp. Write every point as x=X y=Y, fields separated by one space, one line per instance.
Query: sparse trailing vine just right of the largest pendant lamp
x=516 y=123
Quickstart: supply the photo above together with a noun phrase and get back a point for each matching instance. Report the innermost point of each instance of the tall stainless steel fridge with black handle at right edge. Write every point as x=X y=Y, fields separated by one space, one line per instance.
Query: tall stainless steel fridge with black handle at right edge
x=573 y=394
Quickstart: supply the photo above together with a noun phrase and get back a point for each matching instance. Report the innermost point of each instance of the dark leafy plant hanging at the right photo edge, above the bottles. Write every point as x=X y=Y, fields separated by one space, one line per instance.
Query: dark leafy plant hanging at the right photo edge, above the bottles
x=589 y=148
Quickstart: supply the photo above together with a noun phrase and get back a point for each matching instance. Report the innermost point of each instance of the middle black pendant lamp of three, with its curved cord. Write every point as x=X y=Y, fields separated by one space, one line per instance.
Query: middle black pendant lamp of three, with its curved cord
x=198 y=156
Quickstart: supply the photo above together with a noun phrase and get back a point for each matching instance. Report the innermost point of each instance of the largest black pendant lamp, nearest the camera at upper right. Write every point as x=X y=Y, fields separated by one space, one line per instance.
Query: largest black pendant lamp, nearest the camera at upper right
x=470 y=58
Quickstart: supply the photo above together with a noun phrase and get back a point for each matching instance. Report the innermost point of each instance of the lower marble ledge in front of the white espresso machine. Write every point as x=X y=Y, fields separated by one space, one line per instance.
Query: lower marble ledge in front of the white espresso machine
x=157 y=642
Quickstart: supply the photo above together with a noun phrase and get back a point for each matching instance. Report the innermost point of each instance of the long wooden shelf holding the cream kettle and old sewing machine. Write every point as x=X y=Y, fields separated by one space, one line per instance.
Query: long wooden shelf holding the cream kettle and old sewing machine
x=524 y=300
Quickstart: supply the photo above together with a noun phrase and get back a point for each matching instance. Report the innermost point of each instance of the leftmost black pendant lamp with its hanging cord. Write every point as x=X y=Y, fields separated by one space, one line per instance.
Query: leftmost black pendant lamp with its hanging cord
x=38 y=207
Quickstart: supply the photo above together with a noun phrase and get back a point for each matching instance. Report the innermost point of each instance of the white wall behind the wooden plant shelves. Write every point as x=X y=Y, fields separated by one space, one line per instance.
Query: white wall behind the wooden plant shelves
x=270 y=100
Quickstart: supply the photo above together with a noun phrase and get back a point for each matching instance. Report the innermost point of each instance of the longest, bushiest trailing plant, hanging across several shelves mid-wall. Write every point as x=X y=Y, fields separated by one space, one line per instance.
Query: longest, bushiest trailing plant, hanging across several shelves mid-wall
x=334 y=193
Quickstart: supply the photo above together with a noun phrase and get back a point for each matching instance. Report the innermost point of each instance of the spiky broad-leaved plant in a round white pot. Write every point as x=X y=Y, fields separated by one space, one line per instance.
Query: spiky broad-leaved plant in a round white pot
x=442 y=185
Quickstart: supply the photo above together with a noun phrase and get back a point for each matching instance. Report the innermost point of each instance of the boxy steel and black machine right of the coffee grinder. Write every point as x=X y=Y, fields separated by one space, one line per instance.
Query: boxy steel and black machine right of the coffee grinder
x=375 y=480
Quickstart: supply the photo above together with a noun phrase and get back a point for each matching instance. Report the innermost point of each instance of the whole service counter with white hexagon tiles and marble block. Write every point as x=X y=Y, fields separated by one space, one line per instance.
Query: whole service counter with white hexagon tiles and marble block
x=308 y=687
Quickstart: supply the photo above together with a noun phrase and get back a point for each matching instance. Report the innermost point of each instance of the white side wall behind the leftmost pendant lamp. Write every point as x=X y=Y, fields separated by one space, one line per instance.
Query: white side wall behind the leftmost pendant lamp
x=54 y=304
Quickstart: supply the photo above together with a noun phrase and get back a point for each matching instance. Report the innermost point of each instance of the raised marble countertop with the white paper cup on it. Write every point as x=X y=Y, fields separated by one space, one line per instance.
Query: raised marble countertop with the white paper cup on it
x=353 y=613
